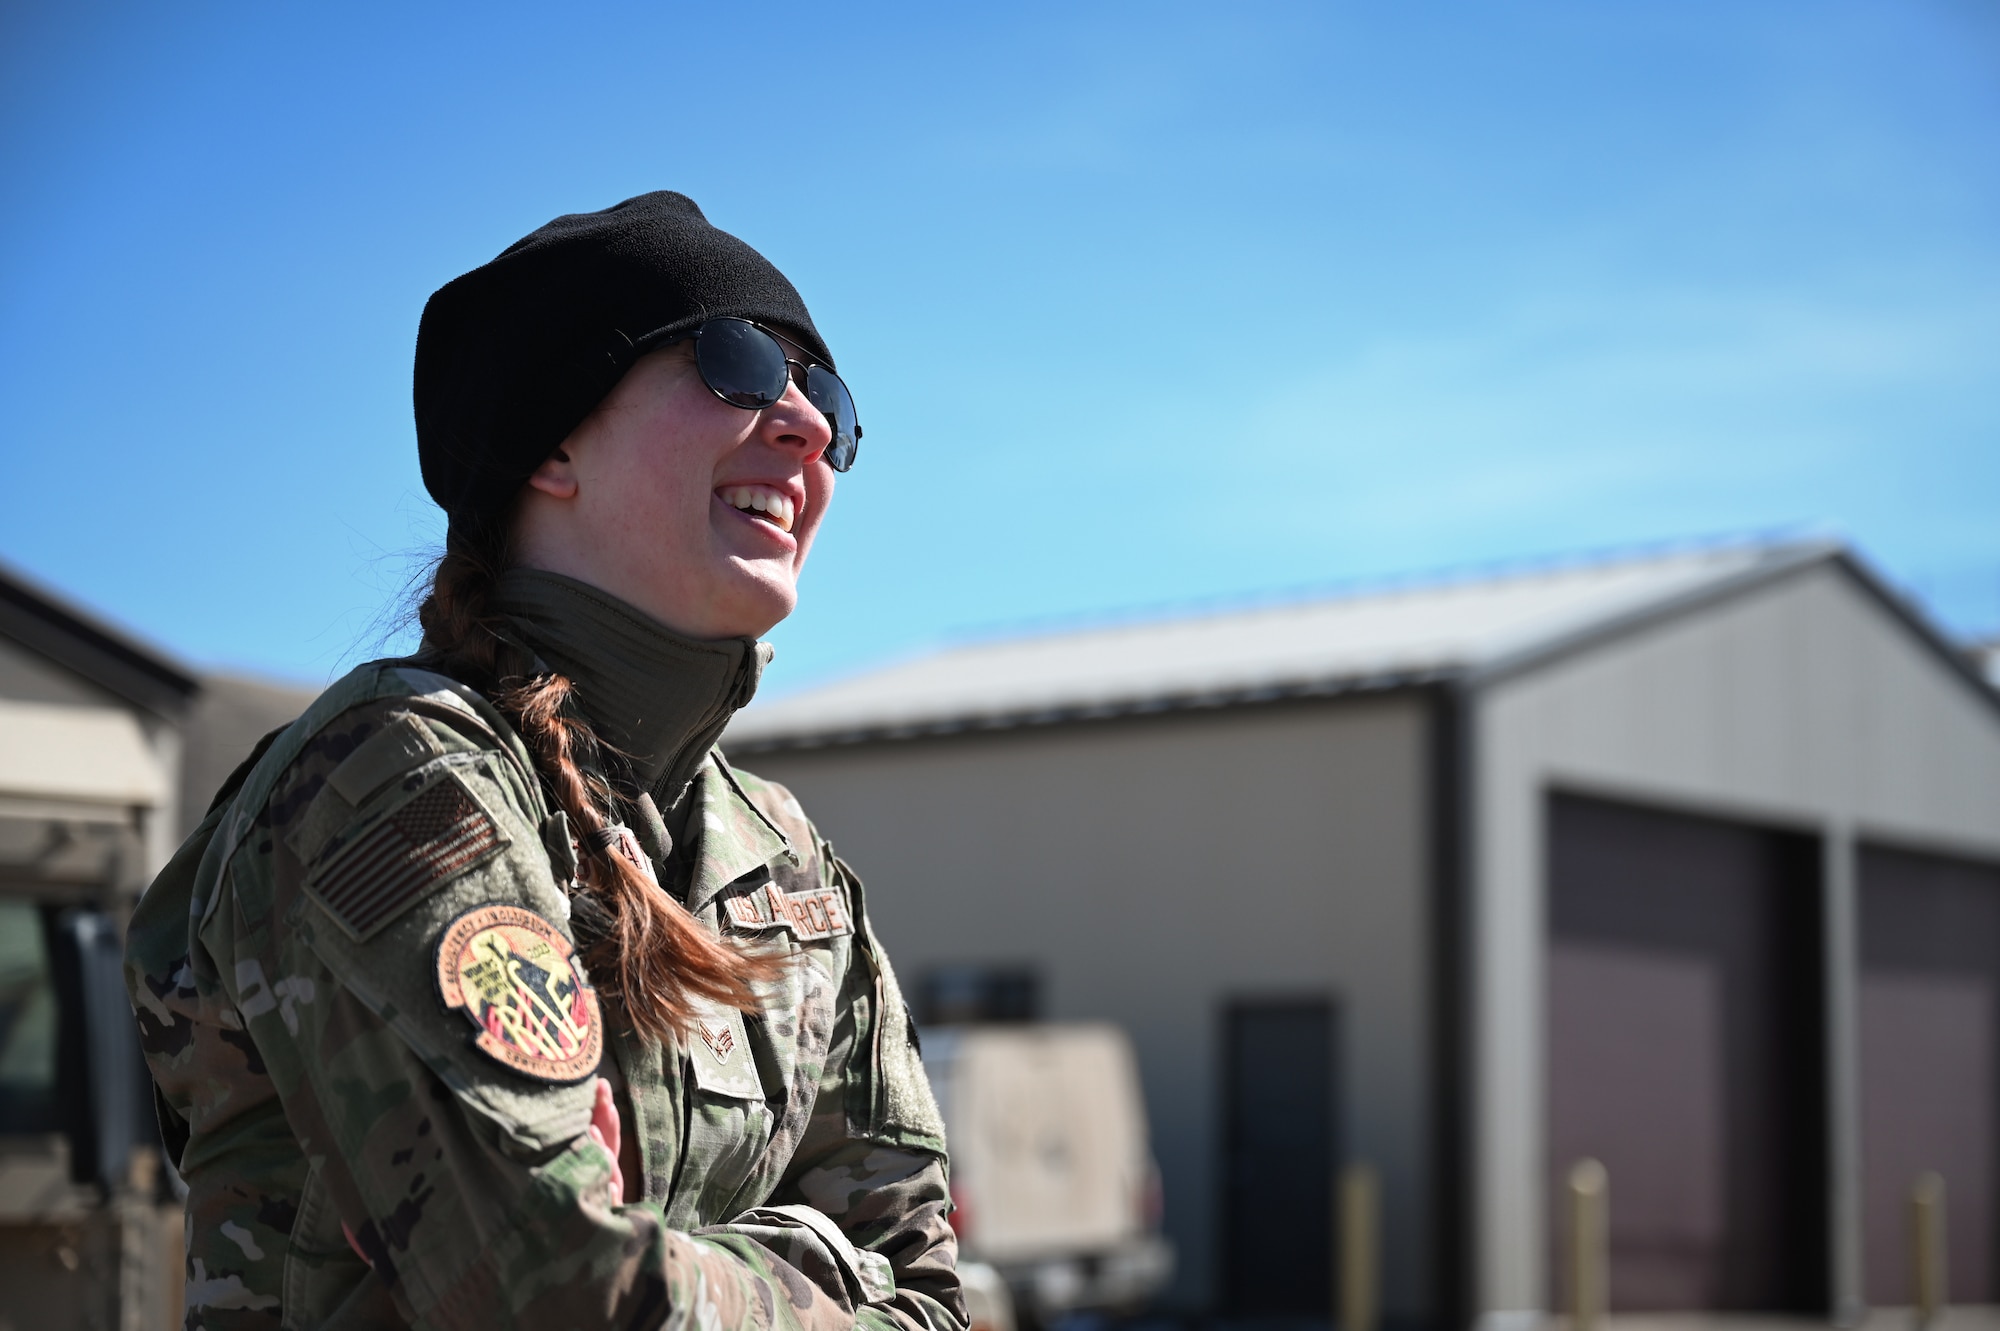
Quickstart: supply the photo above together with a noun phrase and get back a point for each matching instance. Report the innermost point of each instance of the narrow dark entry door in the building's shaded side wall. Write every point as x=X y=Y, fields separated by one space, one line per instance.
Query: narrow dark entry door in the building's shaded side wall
x=1279 y=1158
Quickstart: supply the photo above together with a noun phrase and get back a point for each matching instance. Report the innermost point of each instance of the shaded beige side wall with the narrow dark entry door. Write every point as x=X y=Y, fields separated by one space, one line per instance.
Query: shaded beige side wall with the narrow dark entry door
x=1157 y=868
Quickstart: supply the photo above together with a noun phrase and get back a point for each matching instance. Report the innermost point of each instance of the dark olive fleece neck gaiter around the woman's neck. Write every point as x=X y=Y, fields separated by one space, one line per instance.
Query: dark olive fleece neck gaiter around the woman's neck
x=649 y=692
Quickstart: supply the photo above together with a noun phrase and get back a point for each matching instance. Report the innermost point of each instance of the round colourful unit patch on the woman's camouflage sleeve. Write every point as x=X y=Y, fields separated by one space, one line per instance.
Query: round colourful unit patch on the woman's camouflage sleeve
x=513 y=974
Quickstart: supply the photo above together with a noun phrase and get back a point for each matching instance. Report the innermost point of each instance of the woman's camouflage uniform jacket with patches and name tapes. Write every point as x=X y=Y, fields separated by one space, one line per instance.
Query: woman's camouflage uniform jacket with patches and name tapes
x=293 y=968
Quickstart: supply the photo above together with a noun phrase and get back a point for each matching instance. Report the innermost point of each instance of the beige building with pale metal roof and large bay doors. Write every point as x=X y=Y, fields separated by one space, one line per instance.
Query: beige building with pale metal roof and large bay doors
x=1685 y=862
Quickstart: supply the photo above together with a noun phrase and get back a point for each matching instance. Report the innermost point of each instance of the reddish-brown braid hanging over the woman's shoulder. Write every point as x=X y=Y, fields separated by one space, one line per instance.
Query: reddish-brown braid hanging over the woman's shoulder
x=643 y=948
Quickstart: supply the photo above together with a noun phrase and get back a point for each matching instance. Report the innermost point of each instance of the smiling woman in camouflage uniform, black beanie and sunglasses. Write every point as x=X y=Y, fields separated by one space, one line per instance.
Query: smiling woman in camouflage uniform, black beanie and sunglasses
x=489 y=994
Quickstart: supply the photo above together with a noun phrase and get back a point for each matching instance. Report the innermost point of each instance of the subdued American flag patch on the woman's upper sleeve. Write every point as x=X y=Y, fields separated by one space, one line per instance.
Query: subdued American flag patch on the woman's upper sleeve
x=433 y=838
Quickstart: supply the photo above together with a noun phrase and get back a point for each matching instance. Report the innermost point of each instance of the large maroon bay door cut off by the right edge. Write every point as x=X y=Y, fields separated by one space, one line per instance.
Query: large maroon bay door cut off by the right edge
x=1931 y=1064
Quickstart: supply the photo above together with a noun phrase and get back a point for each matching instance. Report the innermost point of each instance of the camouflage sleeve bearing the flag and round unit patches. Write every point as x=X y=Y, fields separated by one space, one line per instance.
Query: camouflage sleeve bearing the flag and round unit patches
x=367 y=902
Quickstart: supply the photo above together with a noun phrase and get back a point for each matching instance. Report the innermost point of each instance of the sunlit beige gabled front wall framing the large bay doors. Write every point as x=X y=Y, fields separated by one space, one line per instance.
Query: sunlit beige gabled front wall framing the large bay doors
x=1803 y=704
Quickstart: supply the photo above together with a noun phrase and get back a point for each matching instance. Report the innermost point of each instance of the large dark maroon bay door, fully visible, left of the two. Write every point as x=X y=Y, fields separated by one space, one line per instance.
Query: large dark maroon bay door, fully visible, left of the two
x=1685 y=1052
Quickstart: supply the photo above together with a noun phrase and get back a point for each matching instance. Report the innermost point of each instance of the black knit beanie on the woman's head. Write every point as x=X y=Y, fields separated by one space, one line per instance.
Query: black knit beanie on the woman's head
x=513 y=357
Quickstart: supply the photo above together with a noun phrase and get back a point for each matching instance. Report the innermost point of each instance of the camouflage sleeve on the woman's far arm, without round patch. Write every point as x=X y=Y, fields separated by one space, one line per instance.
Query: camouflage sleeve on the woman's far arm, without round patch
x=873 y=1158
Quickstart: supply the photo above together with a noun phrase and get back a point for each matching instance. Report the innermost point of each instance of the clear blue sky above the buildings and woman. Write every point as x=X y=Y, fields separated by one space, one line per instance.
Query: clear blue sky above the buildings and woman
x=1145 y=305
